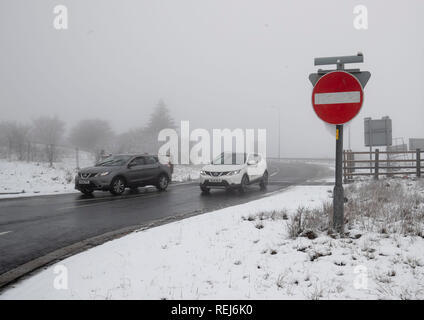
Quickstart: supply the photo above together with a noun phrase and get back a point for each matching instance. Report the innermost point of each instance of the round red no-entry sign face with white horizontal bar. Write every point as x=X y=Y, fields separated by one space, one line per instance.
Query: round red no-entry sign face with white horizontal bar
x=337 y=97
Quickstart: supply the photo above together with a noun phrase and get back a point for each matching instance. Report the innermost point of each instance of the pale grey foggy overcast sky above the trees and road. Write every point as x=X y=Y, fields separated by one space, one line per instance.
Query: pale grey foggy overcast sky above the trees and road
x=217 y=63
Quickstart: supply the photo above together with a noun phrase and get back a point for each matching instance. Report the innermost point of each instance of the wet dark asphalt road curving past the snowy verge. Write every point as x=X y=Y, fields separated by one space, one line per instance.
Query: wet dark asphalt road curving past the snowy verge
x=35 y=226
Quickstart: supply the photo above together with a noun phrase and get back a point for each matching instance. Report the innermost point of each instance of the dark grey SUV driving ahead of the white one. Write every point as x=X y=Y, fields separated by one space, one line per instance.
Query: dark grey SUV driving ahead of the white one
x=118 y=172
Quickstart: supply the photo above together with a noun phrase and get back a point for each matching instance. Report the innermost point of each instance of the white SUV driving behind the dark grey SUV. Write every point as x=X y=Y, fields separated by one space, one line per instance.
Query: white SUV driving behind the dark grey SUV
x=234 y=171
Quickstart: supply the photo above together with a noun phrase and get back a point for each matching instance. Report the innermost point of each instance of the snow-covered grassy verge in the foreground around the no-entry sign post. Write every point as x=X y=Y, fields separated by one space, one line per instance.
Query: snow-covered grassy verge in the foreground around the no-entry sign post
x=277 y=247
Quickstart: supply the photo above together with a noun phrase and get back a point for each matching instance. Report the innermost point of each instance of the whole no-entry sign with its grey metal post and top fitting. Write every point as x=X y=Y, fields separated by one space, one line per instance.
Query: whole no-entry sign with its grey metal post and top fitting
x=337 y=98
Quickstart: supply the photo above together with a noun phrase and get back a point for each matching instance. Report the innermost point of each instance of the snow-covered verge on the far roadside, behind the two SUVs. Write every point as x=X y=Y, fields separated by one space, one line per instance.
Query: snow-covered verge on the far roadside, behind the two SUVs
x=18 y=178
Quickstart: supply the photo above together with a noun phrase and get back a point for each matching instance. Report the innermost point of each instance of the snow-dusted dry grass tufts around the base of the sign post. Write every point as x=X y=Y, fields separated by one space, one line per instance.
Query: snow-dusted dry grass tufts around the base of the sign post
x=385 y=207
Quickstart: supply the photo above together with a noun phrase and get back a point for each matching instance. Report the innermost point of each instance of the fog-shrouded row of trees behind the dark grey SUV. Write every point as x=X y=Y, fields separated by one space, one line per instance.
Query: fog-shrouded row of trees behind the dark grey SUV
x=18 y=141
